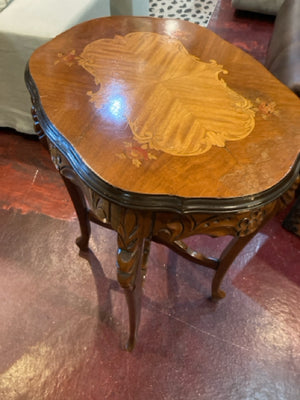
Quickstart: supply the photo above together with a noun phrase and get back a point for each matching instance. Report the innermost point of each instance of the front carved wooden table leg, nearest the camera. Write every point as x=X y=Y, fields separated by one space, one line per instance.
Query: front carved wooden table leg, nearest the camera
x=133 y=248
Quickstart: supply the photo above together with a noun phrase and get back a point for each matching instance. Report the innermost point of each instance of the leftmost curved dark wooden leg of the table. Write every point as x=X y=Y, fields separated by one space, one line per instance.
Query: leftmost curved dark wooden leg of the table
x=80 y=206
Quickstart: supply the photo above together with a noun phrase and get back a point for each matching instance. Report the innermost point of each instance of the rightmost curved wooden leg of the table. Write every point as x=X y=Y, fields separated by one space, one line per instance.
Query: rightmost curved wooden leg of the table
x=227 y=257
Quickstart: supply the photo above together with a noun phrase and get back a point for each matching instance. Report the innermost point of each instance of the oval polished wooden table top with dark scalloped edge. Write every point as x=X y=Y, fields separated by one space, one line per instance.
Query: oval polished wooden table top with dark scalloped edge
x=164 y=114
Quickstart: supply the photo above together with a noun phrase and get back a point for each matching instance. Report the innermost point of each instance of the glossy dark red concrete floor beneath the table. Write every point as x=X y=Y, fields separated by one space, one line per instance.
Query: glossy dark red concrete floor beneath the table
x=63 y=318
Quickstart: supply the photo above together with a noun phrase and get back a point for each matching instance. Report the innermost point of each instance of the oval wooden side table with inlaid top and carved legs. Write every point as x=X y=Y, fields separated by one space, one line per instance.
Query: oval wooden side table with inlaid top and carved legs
x=162 y=130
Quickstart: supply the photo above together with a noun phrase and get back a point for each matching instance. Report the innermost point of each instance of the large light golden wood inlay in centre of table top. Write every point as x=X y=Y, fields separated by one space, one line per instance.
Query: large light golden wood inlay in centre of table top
x=180 y=93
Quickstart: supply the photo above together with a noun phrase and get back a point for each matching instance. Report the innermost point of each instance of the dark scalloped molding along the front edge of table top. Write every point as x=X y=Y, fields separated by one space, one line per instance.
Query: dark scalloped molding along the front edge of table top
x=152 y=202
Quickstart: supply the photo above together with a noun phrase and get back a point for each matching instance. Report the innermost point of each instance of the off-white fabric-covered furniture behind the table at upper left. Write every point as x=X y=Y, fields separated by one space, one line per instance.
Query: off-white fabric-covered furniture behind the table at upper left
x=24 y=26
